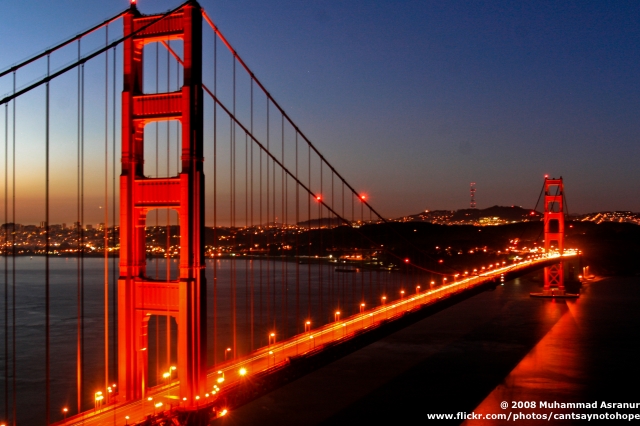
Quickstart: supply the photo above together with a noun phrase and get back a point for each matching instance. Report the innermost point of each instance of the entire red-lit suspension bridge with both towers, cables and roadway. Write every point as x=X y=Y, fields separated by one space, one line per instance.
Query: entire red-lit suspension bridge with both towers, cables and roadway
x=229 y=249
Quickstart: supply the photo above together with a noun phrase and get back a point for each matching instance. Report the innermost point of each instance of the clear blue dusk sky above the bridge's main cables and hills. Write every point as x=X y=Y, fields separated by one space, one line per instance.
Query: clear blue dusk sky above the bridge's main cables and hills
x=413 y=100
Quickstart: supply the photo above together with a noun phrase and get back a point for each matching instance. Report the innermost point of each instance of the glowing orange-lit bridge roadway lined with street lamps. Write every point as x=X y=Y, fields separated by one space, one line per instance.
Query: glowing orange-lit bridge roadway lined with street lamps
x=277 y=354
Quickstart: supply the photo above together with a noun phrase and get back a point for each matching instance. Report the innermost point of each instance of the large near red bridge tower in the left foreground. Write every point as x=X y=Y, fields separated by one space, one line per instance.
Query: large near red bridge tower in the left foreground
x=139 y=297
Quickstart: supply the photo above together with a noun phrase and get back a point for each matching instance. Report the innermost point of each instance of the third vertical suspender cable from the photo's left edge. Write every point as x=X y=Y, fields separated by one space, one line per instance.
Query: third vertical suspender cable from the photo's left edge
x=46 y=255
